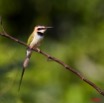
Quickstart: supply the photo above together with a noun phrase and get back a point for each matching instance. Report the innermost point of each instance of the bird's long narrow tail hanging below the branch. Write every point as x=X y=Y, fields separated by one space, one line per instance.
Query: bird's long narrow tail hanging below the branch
x=25 y=64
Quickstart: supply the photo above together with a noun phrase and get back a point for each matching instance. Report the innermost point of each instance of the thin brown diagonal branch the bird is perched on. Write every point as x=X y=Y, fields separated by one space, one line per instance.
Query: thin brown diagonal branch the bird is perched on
x=55 y=60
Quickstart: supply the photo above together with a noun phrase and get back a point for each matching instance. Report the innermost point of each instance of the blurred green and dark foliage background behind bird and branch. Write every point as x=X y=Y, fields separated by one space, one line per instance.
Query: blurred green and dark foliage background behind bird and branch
x=77 y=39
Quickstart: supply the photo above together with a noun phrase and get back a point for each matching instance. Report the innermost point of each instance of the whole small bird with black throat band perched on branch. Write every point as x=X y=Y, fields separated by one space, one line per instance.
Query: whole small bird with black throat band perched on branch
x=33 y=42
